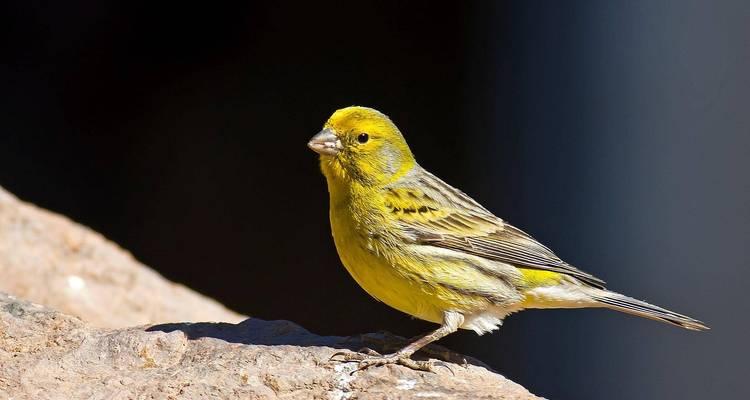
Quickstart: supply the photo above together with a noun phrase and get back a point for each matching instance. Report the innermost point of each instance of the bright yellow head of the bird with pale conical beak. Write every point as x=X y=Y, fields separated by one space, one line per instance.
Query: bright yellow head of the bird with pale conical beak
x=362 y=145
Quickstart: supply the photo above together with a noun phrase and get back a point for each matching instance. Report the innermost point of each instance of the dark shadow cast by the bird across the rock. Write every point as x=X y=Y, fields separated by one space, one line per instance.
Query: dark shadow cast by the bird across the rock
x=254 y=331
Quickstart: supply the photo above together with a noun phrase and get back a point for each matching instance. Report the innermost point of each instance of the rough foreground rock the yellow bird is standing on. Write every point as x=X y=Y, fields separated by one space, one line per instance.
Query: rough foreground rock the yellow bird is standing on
x=45 y=354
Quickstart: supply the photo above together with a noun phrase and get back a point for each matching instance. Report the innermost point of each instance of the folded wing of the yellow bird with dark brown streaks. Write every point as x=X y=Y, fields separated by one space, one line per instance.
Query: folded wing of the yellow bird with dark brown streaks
x=433 y=213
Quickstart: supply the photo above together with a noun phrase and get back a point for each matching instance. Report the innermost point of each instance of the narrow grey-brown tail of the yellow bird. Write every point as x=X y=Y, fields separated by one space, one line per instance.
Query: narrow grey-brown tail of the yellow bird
x=618 y=302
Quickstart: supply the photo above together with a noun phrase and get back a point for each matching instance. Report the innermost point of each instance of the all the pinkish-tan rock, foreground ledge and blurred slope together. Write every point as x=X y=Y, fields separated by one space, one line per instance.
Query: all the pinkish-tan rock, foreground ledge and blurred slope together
x=115 y=354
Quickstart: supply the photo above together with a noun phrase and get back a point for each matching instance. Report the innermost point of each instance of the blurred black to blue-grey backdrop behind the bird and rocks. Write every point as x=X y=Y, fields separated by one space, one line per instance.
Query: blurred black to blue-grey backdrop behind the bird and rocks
x=617 y=133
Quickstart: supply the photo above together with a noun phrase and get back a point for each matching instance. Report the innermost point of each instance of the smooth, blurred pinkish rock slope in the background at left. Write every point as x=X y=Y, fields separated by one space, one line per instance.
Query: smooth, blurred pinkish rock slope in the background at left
x=48 y=259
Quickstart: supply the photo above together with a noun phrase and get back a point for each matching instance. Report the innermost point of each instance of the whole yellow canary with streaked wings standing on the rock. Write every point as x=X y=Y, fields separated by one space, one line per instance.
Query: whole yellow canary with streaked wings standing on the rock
x=427 y=249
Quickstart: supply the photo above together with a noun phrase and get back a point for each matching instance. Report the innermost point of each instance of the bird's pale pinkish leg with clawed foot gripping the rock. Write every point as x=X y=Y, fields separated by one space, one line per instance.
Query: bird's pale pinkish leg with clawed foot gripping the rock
x=368 y=358
